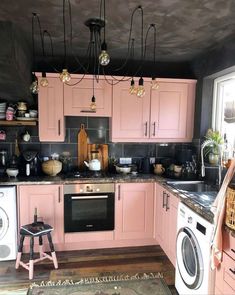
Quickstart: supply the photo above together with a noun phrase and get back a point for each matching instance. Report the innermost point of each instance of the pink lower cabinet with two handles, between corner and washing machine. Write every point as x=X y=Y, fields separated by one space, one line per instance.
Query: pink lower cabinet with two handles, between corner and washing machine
x=166 y=221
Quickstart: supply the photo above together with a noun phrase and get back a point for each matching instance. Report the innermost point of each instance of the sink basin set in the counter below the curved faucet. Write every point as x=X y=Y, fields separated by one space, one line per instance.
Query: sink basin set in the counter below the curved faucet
x=192 y=186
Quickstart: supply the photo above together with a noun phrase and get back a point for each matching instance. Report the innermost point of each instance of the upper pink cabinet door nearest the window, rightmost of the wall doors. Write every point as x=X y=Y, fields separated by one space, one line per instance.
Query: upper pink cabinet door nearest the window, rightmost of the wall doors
x=169 y=111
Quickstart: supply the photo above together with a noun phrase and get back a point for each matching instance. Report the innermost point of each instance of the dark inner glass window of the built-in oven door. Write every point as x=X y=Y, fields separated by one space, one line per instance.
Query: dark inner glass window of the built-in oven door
x=83 y=210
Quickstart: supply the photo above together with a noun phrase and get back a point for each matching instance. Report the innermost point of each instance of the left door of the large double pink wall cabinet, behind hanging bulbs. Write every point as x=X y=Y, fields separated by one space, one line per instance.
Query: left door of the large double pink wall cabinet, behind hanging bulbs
x=130 y=118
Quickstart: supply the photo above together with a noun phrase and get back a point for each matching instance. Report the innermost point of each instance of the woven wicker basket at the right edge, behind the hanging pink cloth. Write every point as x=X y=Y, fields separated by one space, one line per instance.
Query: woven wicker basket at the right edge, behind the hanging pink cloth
x=230 y=208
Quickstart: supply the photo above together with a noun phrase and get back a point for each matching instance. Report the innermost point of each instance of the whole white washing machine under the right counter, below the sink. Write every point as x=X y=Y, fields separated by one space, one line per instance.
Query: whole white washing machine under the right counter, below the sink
x=193 y=249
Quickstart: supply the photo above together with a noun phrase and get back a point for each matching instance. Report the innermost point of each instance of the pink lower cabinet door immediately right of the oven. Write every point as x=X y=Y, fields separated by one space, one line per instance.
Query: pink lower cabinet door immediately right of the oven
x=134 y=211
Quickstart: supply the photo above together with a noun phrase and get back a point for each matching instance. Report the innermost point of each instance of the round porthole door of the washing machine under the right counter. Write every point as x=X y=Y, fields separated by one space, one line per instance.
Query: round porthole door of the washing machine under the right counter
x=189 y=258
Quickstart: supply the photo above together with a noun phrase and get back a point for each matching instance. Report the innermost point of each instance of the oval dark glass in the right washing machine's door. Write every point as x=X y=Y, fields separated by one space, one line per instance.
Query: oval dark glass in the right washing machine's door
x=188 y=255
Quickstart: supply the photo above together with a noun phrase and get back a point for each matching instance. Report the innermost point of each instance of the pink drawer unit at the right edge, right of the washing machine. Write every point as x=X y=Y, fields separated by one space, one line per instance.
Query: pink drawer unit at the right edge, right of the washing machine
x=225 y=274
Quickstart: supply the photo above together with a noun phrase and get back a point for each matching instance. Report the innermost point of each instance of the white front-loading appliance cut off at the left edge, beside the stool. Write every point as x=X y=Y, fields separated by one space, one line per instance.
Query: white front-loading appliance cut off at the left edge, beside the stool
x=8 y=223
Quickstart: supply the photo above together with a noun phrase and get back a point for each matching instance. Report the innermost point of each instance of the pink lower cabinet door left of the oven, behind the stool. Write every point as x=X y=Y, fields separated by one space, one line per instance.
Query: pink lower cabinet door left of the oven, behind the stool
x=49 y=203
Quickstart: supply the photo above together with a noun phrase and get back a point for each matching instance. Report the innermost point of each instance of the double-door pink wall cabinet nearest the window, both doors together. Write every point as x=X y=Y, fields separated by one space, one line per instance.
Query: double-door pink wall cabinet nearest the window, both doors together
x=163 y=114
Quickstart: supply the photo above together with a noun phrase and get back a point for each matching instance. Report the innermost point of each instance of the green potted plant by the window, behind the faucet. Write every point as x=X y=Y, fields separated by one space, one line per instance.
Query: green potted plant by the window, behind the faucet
x=214 y=142
